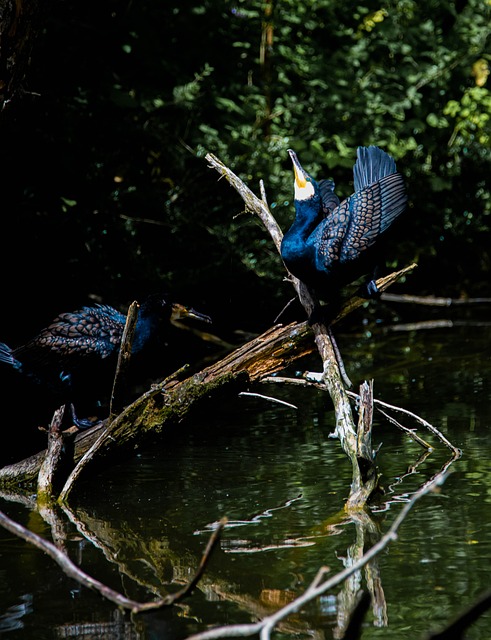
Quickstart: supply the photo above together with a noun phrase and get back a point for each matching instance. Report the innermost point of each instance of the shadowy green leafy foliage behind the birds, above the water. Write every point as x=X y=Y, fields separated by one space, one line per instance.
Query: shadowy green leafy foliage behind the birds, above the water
x=106 y=193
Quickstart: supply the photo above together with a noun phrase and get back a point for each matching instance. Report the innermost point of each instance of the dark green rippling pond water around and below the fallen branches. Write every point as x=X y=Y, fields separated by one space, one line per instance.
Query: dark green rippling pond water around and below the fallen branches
x=281 y=481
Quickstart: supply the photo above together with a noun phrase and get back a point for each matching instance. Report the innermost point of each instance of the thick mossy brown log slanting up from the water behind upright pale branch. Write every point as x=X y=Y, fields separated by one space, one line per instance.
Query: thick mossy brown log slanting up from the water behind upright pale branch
x=167 y=405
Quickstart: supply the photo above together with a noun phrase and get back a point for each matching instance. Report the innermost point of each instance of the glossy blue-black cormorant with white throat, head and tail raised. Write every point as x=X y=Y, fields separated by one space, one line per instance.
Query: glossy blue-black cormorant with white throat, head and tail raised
x=332 y=244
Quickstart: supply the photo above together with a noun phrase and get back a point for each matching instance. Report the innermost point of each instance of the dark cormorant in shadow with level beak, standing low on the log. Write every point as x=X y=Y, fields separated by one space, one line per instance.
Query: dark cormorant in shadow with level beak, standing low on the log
x=78 y=351
